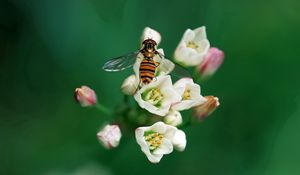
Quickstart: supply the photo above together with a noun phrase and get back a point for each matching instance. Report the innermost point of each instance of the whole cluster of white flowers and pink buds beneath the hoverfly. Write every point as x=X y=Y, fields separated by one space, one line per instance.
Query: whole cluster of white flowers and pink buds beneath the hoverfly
x=157 y=121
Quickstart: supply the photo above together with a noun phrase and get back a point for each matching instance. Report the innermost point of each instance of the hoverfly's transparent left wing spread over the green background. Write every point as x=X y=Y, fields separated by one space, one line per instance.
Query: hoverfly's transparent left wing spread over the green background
x=120 y=63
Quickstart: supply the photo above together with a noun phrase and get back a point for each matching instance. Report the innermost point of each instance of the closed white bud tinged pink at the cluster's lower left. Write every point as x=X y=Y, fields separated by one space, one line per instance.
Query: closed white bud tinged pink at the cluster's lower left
x=109 y=136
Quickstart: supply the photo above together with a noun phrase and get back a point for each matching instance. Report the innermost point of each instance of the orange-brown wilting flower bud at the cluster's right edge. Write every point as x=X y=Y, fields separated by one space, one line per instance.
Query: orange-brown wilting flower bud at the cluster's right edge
x=205 y=109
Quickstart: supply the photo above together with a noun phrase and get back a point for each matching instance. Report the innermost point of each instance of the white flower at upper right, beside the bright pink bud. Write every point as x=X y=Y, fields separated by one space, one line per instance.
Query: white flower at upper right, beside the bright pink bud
x=192 y=47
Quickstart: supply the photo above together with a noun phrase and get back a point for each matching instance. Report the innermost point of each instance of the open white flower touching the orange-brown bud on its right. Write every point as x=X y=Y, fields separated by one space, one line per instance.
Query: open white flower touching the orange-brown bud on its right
x=190 y=93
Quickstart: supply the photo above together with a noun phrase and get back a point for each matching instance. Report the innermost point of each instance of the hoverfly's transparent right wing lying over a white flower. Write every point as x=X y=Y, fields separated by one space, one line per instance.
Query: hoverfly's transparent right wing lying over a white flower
x=175 y=69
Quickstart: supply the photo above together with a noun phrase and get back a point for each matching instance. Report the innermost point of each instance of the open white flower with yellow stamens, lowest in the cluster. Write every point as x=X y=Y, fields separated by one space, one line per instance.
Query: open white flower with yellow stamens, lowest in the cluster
x=155 y=140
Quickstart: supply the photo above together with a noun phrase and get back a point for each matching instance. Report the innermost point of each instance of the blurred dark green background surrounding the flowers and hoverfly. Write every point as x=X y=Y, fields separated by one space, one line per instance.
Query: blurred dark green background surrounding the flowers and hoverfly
x=50 y=47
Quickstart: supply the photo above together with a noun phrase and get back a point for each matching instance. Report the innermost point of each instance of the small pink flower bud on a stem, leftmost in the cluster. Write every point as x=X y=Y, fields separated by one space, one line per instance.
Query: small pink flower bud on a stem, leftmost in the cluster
x=85 y=96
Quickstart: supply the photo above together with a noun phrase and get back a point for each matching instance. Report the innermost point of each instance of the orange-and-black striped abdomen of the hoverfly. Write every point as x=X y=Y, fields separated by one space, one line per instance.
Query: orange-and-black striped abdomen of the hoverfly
x=147 y=70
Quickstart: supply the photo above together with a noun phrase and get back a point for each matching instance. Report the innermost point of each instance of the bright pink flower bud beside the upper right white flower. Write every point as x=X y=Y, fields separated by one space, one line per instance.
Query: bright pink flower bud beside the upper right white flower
x=211 y=62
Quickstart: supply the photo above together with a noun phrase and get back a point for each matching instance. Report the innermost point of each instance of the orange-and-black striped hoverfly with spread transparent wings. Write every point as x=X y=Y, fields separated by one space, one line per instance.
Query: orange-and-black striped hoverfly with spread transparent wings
x=148 y=65
